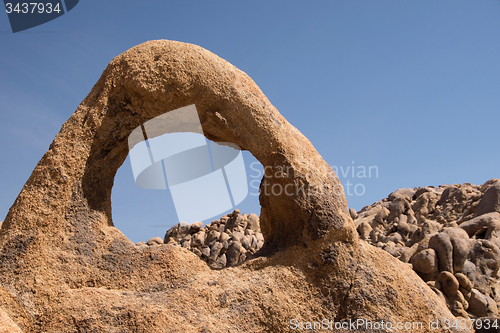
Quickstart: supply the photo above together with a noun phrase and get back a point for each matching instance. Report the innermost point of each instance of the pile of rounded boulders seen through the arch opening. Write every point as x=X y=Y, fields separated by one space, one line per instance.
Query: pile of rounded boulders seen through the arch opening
x=226 y=242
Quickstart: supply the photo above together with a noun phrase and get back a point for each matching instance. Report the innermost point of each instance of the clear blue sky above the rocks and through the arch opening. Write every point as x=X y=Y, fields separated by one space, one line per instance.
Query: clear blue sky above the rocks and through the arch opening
x=409 y=87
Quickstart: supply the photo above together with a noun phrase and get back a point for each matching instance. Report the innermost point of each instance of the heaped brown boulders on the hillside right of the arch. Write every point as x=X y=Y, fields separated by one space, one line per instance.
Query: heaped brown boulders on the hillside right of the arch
x=449 y=235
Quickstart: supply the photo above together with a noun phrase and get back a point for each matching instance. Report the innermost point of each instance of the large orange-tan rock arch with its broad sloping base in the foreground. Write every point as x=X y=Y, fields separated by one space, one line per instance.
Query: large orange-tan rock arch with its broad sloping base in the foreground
x=64 y=267
